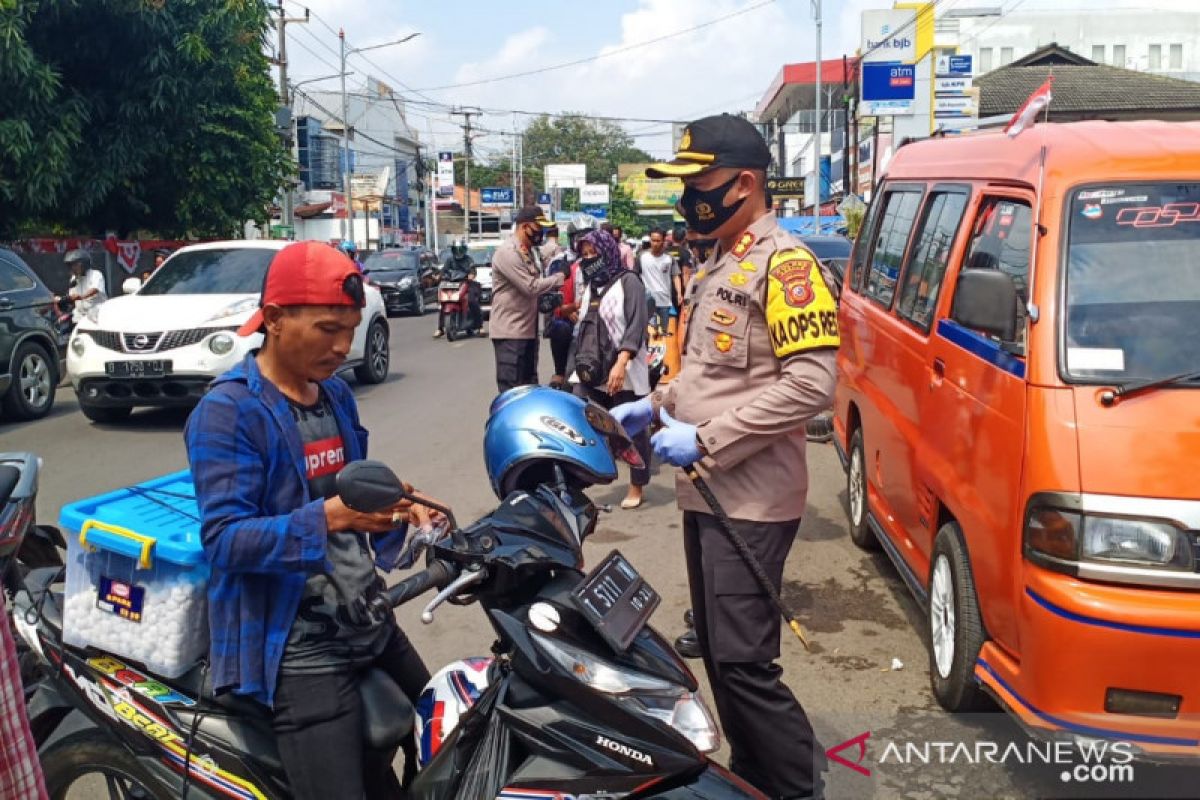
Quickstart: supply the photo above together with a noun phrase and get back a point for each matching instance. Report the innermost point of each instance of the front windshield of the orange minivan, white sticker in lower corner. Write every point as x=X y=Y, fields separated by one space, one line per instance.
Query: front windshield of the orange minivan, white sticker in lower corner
x=1133 y=282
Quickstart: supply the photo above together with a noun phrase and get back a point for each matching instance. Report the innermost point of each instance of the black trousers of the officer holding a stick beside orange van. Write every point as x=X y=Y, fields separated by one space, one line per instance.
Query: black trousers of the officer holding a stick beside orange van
x=771 y=739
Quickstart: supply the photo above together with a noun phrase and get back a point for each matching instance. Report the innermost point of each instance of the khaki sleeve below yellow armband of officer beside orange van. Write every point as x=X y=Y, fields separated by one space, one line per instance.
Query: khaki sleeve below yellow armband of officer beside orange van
x=805 y=389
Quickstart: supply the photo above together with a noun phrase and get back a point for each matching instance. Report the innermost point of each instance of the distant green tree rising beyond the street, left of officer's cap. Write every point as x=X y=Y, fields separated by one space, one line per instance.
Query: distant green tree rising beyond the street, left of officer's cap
x=579 y=140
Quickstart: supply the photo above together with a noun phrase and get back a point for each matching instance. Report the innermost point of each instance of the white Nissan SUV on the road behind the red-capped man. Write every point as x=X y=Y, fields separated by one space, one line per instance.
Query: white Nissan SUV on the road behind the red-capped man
x=165 y=344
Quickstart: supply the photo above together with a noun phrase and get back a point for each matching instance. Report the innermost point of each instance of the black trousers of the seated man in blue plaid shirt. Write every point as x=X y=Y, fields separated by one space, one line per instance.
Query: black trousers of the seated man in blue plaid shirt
x=319 y=726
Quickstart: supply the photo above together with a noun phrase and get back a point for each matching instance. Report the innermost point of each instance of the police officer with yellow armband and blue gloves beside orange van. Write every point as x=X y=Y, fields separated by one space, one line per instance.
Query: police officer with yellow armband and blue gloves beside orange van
x=759 y=344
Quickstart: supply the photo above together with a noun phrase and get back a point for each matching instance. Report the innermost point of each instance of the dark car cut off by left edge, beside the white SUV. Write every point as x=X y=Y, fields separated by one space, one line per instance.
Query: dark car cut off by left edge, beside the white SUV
x=31 y=363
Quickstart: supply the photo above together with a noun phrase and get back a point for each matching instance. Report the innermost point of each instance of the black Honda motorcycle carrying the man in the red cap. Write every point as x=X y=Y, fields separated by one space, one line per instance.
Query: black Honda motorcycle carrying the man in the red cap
x=583 y=700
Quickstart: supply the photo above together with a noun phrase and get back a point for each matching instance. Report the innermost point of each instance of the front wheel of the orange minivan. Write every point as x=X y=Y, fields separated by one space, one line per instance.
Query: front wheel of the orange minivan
x=956 y=628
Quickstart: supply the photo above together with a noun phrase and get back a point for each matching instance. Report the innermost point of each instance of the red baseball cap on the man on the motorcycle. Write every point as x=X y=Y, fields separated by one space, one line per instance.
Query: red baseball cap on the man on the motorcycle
x=305 y=274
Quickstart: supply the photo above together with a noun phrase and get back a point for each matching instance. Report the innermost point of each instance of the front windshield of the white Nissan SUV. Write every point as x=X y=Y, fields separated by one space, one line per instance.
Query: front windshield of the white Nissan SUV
x=212 y=272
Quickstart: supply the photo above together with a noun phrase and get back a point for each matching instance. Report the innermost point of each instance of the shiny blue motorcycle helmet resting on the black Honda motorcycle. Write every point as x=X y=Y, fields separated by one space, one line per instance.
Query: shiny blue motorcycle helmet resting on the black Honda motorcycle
x=532 y=430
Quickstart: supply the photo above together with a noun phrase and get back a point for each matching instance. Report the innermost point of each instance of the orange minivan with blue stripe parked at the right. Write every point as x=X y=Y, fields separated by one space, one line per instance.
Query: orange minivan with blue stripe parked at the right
x=1018 y=411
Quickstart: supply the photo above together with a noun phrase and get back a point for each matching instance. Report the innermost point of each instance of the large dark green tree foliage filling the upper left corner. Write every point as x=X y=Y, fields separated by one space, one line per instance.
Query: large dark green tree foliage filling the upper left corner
x=136 y=115
